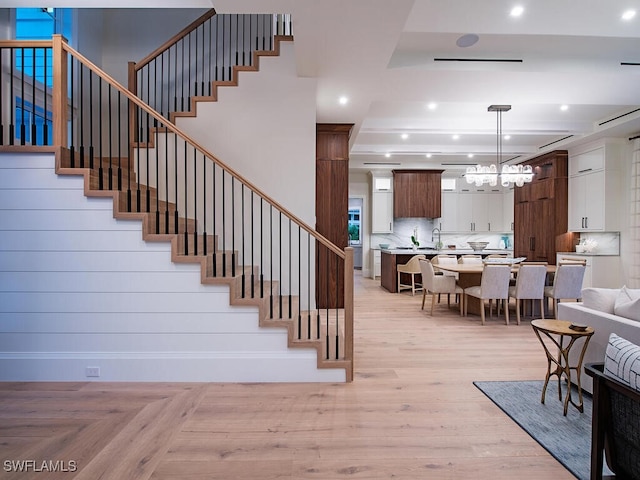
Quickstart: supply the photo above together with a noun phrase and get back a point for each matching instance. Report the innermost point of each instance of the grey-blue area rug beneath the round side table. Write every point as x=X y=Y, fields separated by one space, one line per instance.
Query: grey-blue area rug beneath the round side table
x=567 y=439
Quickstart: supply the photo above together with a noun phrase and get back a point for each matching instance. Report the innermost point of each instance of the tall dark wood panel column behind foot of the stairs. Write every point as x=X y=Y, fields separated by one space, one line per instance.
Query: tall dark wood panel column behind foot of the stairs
x=332 y=206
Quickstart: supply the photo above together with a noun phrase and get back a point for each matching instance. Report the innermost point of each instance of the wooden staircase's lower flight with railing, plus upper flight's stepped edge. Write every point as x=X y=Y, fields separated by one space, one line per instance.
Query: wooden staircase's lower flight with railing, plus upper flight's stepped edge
x=173 y=186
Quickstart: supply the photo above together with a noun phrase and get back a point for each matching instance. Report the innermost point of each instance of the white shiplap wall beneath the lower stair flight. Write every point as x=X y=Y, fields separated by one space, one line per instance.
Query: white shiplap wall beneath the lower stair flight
x=80 y=289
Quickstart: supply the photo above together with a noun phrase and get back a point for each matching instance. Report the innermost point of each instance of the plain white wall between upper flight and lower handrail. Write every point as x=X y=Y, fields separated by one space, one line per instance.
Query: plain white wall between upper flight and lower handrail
x=265 y=129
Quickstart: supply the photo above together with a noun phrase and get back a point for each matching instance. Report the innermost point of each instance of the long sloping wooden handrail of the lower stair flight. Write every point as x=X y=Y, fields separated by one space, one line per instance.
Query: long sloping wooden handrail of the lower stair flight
x=172 y=127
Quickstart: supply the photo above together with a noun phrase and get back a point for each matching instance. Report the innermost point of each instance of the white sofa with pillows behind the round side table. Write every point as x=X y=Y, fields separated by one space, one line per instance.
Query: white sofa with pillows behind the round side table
x=602 y=309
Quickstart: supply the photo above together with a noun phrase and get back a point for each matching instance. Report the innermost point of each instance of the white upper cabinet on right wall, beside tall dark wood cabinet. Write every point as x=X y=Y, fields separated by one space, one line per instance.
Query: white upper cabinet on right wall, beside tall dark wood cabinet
x=594 y=183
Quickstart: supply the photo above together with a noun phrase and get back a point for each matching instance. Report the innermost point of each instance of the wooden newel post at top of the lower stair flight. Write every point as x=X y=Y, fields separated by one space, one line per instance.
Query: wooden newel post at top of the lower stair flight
x=60 y=101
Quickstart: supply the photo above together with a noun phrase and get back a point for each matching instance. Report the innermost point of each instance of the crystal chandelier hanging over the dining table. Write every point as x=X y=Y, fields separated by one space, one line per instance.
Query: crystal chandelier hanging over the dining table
x=482 y=174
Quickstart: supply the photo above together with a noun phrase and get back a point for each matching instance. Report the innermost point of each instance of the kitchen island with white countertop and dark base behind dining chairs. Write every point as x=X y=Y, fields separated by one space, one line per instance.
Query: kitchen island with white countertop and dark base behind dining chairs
x=391 y=258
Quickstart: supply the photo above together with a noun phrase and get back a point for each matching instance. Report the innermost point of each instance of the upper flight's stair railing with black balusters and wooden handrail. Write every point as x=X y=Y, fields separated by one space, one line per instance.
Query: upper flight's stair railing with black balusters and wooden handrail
x=188 y=65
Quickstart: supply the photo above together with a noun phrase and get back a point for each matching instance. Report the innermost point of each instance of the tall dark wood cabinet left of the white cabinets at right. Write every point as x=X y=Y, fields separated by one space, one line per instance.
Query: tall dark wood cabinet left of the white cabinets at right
x=540 y=210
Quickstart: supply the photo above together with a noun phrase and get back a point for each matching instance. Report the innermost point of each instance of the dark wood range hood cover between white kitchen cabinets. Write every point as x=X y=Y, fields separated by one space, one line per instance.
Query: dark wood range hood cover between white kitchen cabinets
x=417 y=193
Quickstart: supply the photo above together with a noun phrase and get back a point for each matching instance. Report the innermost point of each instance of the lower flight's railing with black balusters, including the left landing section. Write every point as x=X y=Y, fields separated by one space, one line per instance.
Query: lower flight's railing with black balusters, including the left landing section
x=182 y=191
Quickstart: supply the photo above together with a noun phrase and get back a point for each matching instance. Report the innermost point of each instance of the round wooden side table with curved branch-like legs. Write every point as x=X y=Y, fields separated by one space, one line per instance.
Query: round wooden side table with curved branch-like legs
x=556 y=330
